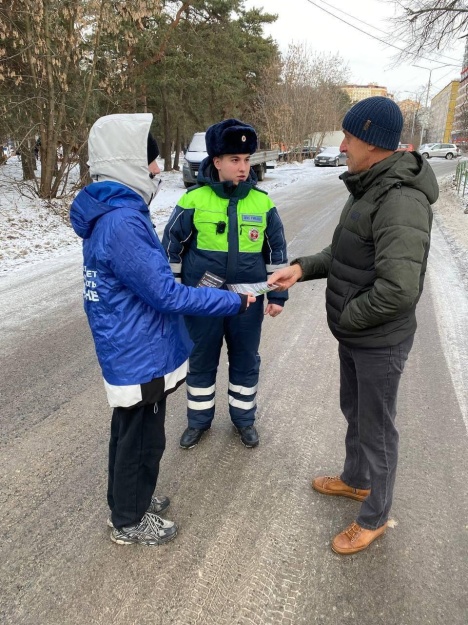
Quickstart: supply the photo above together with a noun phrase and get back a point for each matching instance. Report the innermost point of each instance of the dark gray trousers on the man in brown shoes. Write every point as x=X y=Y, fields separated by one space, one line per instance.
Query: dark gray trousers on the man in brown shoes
x=369 y=379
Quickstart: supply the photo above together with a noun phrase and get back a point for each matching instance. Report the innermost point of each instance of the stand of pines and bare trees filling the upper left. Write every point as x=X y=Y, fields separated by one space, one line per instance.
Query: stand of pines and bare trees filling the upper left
x=63 y=64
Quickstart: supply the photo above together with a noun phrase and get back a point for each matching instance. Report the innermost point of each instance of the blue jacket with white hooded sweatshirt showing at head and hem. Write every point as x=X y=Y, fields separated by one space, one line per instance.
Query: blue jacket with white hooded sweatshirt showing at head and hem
x=135 y=308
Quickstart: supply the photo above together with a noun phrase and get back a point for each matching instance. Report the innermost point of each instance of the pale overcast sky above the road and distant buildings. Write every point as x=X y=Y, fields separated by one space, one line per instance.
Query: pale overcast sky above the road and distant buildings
x=368 y=60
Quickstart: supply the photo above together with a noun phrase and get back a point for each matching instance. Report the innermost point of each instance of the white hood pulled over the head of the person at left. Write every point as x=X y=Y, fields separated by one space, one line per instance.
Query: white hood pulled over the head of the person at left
x=117 y=147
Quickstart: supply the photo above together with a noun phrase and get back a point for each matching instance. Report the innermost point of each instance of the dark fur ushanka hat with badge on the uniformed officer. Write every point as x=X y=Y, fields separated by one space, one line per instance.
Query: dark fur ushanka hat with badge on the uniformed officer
x=230 y=136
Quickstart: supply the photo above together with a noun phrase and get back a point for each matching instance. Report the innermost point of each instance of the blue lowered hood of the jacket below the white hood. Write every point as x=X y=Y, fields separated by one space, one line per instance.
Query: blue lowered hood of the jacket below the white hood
x=99 y=199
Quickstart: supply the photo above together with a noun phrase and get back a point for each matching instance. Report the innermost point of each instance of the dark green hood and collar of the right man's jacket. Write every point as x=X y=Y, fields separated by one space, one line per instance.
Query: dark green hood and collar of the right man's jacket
x=402 y=168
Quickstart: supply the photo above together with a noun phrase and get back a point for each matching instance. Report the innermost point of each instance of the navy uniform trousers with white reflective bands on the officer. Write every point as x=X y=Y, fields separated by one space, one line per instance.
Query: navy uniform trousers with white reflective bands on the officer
x=242 y=335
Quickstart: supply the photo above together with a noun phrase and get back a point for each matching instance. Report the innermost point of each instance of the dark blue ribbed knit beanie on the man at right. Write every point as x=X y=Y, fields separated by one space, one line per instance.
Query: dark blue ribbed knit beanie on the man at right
x=377 y=121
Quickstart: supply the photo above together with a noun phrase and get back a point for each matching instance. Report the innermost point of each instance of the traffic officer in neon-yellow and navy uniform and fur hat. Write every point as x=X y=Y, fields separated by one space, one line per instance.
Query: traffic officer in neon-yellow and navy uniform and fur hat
x=229 y=227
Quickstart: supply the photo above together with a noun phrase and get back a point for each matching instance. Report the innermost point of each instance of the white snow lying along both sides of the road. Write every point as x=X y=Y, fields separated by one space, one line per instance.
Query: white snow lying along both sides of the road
x=33 y=230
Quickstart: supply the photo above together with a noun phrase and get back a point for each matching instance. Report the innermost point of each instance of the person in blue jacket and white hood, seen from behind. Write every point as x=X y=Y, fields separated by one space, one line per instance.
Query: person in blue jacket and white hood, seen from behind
x=134 y=308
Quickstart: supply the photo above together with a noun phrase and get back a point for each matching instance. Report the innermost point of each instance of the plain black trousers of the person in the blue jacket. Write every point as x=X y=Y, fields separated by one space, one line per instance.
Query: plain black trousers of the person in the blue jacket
x=136 y=446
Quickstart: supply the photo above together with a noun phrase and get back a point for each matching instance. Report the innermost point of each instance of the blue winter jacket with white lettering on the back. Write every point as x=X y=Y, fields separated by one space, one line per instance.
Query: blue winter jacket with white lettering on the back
x=133 y=304
